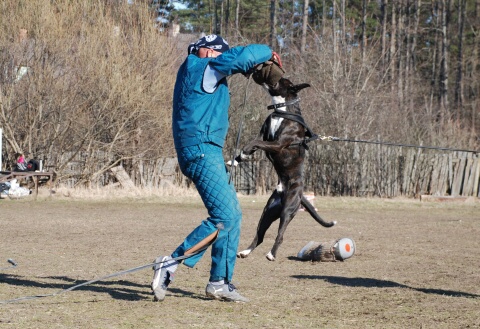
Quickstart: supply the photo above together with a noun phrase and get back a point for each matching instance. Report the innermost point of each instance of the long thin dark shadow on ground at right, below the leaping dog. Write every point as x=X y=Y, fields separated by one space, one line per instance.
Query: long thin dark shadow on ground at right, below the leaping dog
x=370 y=283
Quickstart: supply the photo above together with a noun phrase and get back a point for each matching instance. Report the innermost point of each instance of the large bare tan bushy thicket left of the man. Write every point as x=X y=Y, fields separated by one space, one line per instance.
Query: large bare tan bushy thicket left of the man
x=83 y=97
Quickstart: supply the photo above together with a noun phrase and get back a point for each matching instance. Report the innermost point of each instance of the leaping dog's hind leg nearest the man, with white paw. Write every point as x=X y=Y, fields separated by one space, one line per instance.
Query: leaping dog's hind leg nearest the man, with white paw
x=271 y=213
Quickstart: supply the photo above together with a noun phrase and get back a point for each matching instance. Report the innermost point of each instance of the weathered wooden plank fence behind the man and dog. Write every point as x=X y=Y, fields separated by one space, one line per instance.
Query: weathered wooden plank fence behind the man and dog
x=337 y=170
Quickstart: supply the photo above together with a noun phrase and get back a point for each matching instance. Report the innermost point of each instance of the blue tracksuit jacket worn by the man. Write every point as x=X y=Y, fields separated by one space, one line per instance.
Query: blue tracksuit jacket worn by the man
x=199 y=116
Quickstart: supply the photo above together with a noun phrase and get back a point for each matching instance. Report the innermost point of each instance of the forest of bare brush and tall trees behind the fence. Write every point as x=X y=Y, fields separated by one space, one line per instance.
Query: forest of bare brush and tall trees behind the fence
x=88 y=84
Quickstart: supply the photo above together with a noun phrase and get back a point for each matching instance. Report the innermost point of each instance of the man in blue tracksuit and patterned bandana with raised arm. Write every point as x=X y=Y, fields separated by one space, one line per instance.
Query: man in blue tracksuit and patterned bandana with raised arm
x=200 y=123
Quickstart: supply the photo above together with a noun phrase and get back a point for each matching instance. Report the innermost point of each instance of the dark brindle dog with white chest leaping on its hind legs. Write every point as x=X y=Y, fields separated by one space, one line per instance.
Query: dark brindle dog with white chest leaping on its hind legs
x=283 y=137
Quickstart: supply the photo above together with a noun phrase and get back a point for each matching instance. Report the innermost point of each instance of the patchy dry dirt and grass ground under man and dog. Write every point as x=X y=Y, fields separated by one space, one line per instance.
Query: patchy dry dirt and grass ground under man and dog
x=416 y=266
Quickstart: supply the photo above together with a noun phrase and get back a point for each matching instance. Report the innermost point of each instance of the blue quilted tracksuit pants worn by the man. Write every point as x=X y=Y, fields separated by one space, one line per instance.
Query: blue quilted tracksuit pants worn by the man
x=205 y=166
